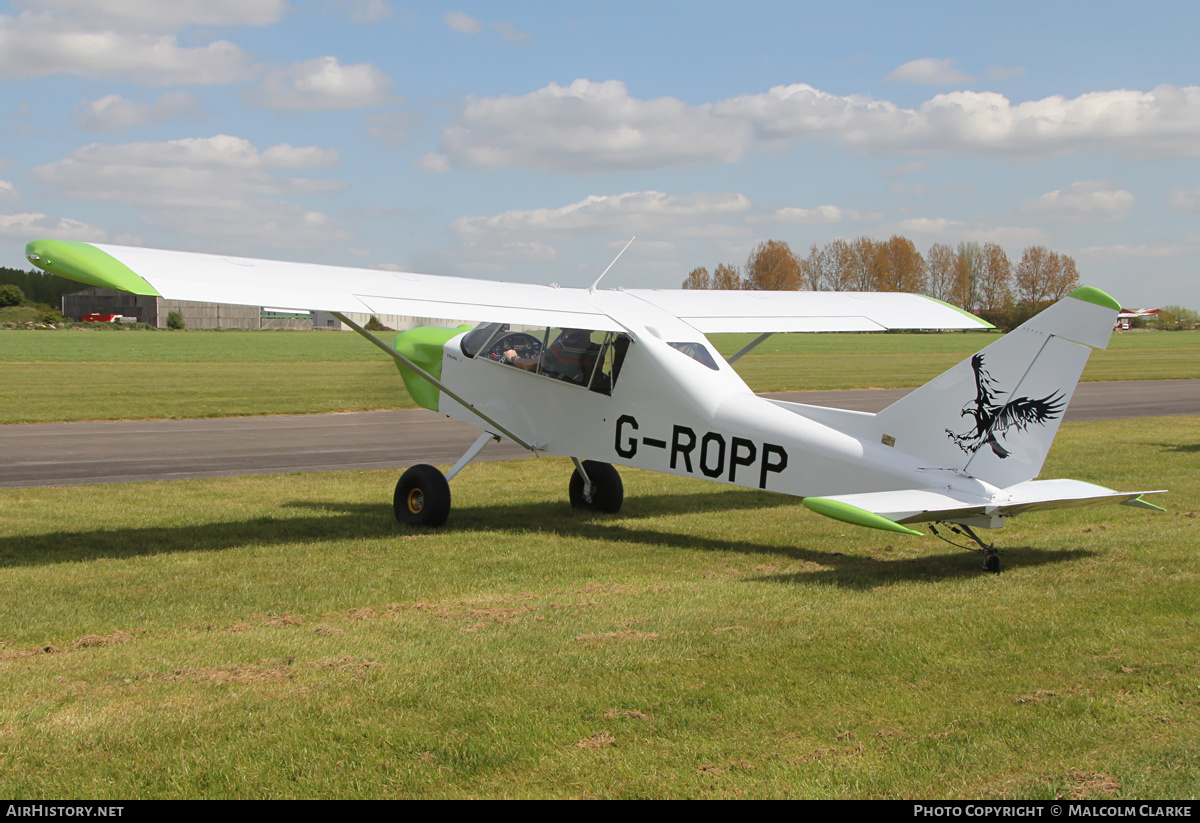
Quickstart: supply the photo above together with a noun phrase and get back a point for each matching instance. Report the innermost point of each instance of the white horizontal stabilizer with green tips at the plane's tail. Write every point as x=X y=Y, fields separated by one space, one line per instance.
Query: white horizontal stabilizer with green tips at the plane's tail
x=897 y=509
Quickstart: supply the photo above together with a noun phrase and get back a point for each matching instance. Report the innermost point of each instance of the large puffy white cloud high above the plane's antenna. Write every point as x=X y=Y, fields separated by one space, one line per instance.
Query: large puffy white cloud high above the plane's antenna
x=589 y=128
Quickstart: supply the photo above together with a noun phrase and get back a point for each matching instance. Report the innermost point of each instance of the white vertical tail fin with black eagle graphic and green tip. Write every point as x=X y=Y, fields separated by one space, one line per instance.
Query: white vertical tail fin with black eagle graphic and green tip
x=995 y=414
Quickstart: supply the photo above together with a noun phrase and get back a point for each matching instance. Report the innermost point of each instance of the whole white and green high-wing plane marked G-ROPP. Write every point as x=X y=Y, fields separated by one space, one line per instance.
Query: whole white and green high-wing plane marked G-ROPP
x=628 y=377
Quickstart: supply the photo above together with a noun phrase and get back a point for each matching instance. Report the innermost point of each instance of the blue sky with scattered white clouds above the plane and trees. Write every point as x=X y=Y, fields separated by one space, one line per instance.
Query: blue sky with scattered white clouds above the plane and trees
x=529 y=141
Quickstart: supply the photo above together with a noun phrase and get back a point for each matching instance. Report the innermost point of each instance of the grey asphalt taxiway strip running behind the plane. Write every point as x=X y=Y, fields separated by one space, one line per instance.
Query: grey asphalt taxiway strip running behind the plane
x=104 y=453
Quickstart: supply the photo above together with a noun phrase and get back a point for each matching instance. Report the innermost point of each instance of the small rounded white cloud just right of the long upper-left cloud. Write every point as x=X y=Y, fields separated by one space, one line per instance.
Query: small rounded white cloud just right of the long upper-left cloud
x=322 y=85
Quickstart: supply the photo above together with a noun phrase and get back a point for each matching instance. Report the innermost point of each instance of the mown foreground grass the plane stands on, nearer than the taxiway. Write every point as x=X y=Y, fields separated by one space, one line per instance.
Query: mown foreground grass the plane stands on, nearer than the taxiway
x=284 y=638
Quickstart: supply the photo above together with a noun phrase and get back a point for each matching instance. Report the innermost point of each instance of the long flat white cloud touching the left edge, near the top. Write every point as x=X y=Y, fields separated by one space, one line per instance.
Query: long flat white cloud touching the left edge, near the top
x=40 y=46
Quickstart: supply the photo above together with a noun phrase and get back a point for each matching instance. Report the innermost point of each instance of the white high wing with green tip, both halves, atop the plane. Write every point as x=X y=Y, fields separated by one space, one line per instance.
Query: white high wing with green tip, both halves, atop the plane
x=303 y=286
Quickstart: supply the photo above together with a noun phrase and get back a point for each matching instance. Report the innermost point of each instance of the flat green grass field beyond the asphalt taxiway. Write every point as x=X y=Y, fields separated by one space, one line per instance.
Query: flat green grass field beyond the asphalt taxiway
x=65 y=376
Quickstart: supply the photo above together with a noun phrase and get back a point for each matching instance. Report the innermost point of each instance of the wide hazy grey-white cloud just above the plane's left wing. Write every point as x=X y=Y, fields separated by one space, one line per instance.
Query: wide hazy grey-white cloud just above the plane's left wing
x=221 y=188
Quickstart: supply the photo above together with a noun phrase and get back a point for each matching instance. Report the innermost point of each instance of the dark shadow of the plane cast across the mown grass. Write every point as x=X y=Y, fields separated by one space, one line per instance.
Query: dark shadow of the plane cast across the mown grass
x=340 y=521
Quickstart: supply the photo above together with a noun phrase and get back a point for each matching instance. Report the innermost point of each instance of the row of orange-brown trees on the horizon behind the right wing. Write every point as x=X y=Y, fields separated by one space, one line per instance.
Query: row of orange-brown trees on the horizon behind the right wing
x=980 y=278
